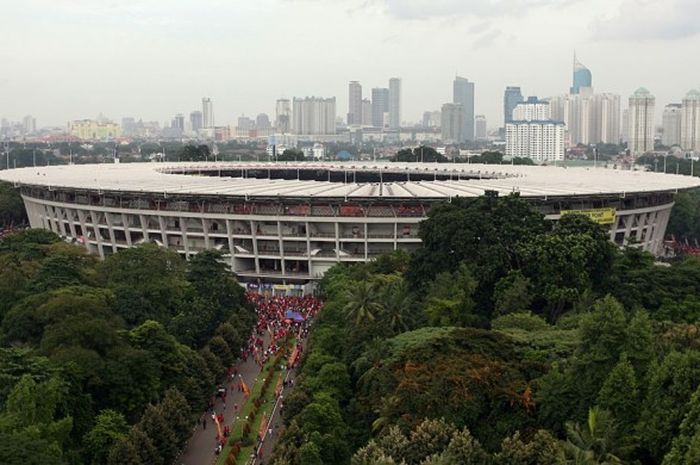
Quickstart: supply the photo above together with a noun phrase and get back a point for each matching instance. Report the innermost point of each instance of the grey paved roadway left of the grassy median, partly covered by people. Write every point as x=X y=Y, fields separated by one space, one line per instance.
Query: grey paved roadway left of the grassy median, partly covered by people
x=200 y=448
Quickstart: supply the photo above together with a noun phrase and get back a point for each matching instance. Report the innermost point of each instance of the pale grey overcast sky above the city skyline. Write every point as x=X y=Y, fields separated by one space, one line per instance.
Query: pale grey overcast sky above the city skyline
x=69 y=59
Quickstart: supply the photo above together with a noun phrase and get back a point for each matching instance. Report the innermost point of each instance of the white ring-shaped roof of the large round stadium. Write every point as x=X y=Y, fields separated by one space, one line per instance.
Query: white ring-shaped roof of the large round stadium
x=529 y=181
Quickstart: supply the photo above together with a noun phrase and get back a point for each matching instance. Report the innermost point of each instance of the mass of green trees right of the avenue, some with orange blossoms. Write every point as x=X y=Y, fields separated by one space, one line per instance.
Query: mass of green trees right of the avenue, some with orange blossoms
x=504 y=340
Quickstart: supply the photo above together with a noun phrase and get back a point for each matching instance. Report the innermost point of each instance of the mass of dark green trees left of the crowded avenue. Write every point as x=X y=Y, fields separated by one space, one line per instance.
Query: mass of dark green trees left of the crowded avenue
x=109 y=362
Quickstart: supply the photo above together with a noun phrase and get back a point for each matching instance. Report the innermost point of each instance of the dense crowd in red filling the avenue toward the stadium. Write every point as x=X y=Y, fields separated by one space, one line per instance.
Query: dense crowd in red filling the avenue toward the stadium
x=277 y=318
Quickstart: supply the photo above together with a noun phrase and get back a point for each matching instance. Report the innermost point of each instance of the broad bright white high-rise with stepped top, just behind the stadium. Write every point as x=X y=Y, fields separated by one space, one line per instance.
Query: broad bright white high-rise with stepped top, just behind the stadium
x=533 y=134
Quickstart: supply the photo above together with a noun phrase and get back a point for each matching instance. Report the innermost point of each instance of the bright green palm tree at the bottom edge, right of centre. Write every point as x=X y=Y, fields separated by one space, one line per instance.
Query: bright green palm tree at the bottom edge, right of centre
x=592 y=444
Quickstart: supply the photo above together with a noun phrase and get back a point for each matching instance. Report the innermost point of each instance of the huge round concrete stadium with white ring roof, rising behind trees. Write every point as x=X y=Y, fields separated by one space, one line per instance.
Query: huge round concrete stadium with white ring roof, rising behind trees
x=289 y=223
